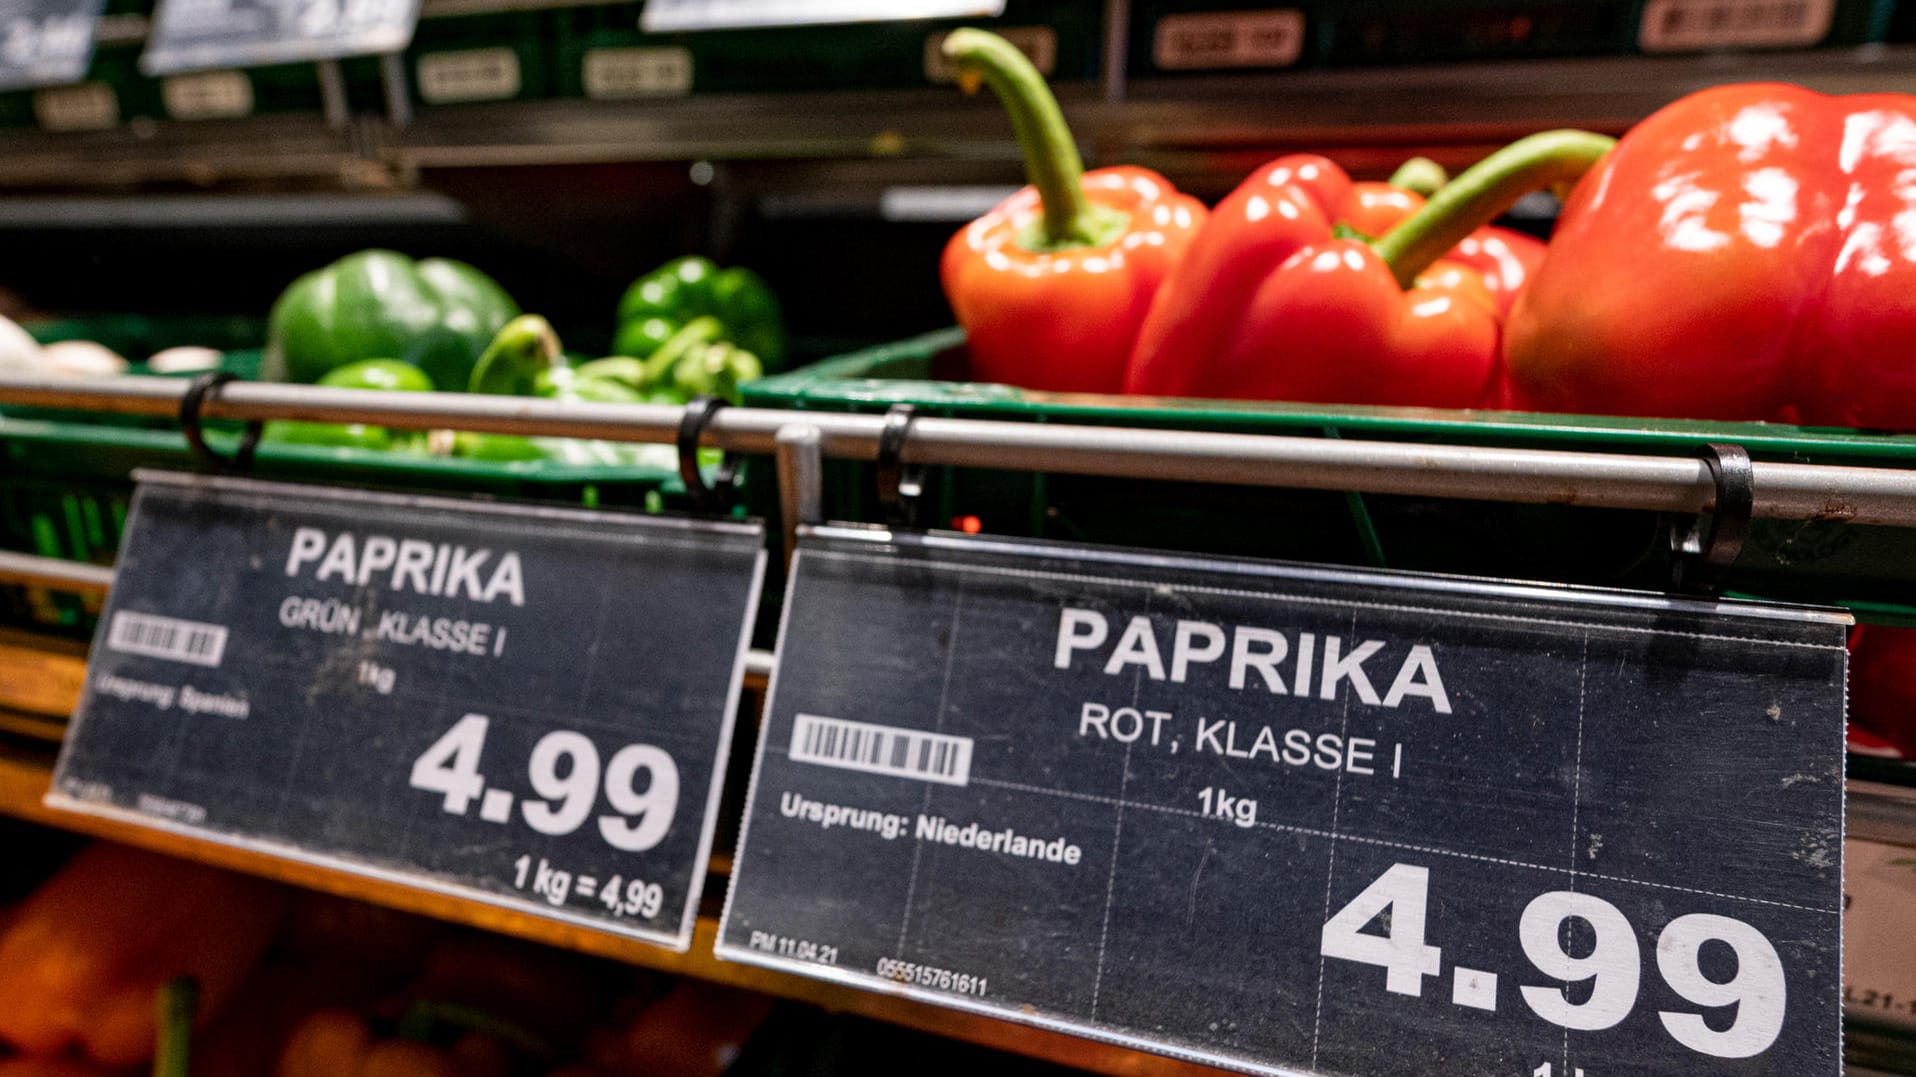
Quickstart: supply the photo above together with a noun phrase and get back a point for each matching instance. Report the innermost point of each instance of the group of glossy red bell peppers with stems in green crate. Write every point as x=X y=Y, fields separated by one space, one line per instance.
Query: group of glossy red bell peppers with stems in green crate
x=1739 y=256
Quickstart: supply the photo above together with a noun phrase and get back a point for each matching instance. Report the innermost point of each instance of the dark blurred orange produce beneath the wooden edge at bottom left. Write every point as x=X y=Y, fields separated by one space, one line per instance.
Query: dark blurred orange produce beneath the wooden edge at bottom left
x=263 y=982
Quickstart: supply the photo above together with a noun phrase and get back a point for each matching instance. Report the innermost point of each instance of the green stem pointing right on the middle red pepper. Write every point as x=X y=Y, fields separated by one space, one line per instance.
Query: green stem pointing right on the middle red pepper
x=1484 y=193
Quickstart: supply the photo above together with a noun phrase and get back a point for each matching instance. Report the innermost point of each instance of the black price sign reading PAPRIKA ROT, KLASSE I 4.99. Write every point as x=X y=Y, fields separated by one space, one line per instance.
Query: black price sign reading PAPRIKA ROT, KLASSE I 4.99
x=1292 y=819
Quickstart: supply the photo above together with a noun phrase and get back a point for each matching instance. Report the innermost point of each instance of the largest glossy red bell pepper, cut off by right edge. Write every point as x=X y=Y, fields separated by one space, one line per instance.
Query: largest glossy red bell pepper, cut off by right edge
x=1745 y=254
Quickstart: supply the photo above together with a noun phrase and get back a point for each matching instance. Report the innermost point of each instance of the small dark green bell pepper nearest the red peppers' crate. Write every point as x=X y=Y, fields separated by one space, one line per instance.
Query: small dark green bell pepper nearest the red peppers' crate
x=662 y=302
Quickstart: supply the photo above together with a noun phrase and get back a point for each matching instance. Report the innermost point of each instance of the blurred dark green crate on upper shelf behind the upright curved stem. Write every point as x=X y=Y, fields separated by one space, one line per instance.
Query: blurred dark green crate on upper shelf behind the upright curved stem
x=603 y=53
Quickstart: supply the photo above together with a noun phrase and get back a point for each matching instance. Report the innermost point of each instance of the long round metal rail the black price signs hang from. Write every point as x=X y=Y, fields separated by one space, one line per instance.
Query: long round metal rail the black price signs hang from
x=1605 y=480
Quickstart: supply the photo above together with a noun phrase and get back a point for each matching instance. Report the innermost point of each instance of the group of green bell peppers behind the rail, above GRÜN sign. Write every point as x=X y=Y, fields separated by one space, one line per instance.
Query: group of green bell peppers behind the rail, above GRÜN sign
x=380 y=321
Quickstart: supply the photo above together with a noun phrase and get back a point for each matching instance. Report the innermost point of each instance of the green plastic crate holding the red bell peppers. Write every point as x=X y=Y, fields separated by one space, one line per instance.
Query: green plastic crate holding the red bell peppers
x=1867 y=568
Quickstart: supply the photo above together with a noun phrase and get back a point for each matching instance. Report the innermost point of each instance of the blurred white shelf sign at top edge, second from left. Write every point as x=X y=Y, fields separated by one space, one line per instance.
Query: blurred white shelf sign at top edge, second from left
x=198 y=35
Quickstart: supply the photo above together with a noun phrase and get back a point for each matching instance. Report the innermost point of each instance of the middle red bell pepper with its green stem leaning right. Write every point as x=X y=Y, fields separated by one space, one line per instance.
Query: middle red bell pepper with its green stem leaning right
x=1271 y=302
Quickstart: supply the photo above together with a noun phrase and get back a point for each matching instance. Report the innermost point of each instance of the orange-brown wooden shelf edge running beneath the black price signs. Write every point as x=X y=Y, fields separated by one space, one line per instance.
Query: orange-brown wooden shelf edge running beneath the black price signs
x=26 y=781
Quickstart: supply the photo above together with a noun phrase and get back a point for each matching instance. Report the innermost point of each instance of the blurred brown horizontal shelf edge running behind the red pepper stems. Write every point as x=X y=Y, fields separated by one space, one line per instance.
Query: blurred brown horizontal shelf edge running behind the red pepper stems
x=1191 y=129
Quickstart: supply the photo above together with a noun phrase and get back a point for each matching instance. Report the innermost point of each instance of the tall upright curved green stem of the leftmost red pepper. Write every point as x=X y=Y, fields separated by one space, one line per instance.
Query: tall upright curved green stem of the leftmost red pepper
x=1053 y=162
